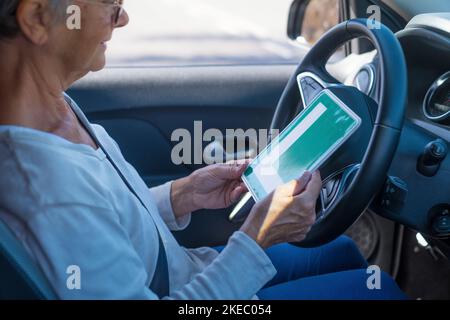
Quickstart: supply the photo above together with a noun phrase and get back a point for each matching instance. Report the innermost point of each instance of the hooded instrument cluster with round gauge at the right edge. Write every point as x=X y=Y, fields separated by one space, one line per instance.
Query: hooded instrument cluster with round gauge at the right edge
x=426 y=43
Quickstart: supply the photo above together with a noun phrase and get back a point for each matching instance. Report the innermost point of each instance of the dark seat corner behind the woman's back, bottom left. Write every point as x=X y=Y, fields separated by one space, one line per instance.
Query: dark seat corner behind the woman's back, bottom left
x=20 y=277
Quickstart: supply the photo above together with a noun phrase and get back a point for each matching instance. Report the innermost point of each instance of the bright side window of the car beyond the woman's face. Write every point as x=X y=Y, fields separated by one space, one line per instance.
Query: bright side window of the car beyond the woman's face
x=208 y=32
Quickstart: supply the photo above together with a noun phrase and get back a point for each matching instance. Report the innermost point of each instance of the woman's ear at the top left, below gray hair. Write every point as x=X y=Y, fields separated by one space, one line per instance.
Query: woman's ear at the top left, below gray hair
x=34 y=18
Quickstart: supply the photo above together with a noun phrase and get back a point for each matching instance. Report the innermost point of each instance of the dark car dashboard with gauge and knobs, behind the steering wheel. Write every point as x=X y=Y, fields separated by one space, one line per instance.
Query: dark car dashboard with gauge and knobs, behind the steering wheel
x=417 y=193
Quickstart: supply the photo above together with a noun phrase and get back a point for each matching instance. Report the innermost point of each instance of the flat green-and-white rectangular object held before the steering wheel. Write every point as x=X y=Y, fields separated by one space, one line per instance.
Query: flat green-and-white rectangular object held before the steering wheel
x=304 y=145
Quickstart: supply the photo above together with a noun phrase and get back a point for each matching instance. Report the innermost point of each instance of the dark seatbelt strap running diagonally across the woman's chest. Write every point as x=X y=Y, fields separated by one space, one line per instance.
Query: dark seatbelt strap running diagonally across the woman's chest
x=160 y=281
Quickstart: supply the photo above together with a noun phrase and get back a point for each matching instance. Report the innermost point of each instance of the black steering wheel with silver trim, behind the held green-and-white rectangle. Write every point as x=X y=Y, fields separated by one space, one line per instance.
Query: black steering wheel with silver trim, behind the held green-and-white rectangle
x=358 y=170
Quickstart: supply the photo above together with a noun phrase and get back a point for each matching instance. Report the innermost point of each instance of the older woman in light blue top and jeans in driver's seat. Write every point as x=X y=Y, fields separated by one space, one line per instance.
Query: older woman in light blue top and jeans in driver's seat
x=71 y=199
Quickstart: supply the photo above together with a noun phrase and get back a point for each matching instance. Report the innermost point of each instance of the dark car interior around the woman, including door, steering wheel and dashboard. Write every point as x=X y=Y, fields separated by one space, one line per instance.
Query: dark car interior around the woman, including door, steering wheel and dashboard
x=388 y=187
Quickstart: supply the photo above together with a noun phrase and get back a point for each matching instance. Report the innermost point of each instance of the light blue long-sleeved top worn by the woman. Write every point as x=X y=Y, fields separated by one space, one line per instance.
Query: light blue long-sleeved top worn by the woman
x=68 y=207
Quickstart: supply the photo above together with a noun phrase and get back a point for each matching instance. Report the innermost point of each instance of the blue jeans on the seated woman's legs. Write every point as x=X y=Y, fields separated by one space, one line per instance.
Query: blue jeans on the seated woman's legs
x=333 y=271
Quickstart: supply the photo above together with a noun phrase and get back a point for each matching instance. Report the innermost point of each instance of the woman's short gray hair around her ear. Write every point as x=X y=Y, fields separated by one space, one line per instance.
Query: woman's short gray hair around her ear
x=8 y=22
